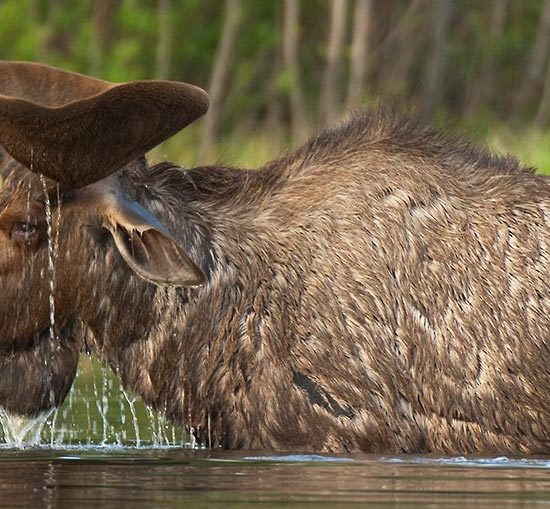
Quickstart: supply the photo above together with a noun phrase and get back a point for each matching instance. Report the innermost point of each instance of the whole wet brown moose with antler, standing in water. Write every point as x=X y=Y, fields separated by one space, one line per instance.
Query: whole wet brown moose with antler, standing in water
x=383 y=288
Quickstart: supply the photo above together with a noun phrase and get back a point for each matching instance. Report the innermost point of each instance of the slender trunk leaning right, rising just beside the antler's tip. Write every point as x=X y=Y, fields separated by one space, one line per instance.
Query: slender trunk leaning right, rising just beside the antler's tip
x=216 y=87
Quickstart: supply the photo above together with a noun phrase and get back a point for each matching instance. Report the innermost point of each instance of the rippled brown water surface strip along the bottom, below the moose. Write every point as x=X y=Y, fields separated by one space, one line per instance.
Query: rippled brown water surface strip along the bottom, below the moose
x=124 y=477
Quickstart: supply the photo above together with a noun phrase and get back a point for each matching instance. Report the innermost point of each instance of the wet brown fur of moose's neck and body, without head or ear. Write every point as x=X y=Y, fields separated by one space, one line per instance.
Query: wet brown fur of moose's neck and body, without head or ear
x=381 y=289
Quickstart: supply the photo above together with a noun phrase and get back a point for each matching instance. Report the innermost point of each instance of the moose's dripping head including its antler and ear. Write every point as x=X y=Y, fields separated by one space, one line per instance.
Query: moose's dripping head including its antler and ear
x=64 y=135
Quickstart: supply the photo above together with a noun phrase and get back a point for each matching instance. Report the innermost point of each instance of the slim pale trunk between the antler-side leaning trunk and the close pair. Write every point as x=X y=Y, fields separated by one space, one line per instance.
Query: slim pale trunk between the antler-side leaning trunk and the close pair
x=291 y=68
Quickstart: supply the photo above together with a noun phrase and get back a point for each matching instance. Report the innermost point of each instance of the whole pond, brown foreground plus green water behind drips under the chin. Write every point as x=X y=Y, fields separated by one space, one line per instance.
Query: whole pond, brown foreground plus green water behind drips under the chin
x=103 y=449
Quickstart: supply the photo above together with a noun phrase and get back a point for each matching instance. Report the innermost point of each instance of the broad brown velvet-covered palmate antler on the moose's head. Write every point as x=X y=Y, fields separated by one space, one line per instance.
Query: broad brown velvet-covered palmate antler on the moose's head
x=77 y=130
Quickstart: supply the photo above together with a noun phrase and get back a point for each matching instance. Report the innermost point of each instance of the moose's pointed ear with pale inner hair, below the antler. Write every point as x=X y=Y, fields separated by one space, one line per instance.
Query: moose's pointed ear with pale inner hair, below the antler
x=148 y=248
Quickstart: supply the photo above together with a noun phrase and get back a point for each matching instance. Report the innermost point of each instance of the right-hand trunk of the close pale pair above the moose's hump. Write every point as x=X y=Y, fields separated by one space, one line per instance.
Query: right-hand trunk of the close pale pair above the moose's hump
x=359 y=51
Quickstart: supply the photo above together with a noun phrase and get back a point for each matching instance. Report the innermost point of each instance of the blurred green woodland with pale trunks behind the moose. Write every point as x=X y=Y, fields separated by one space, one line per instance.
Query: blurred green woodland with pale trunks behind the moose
x=279 y=70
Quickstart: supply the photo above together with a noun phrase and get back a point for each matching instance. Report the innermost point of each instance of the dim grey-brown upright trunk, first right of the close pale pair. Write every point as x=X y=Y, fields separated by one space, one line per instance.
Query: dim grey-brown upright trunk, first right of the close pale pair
x=433 y=91
